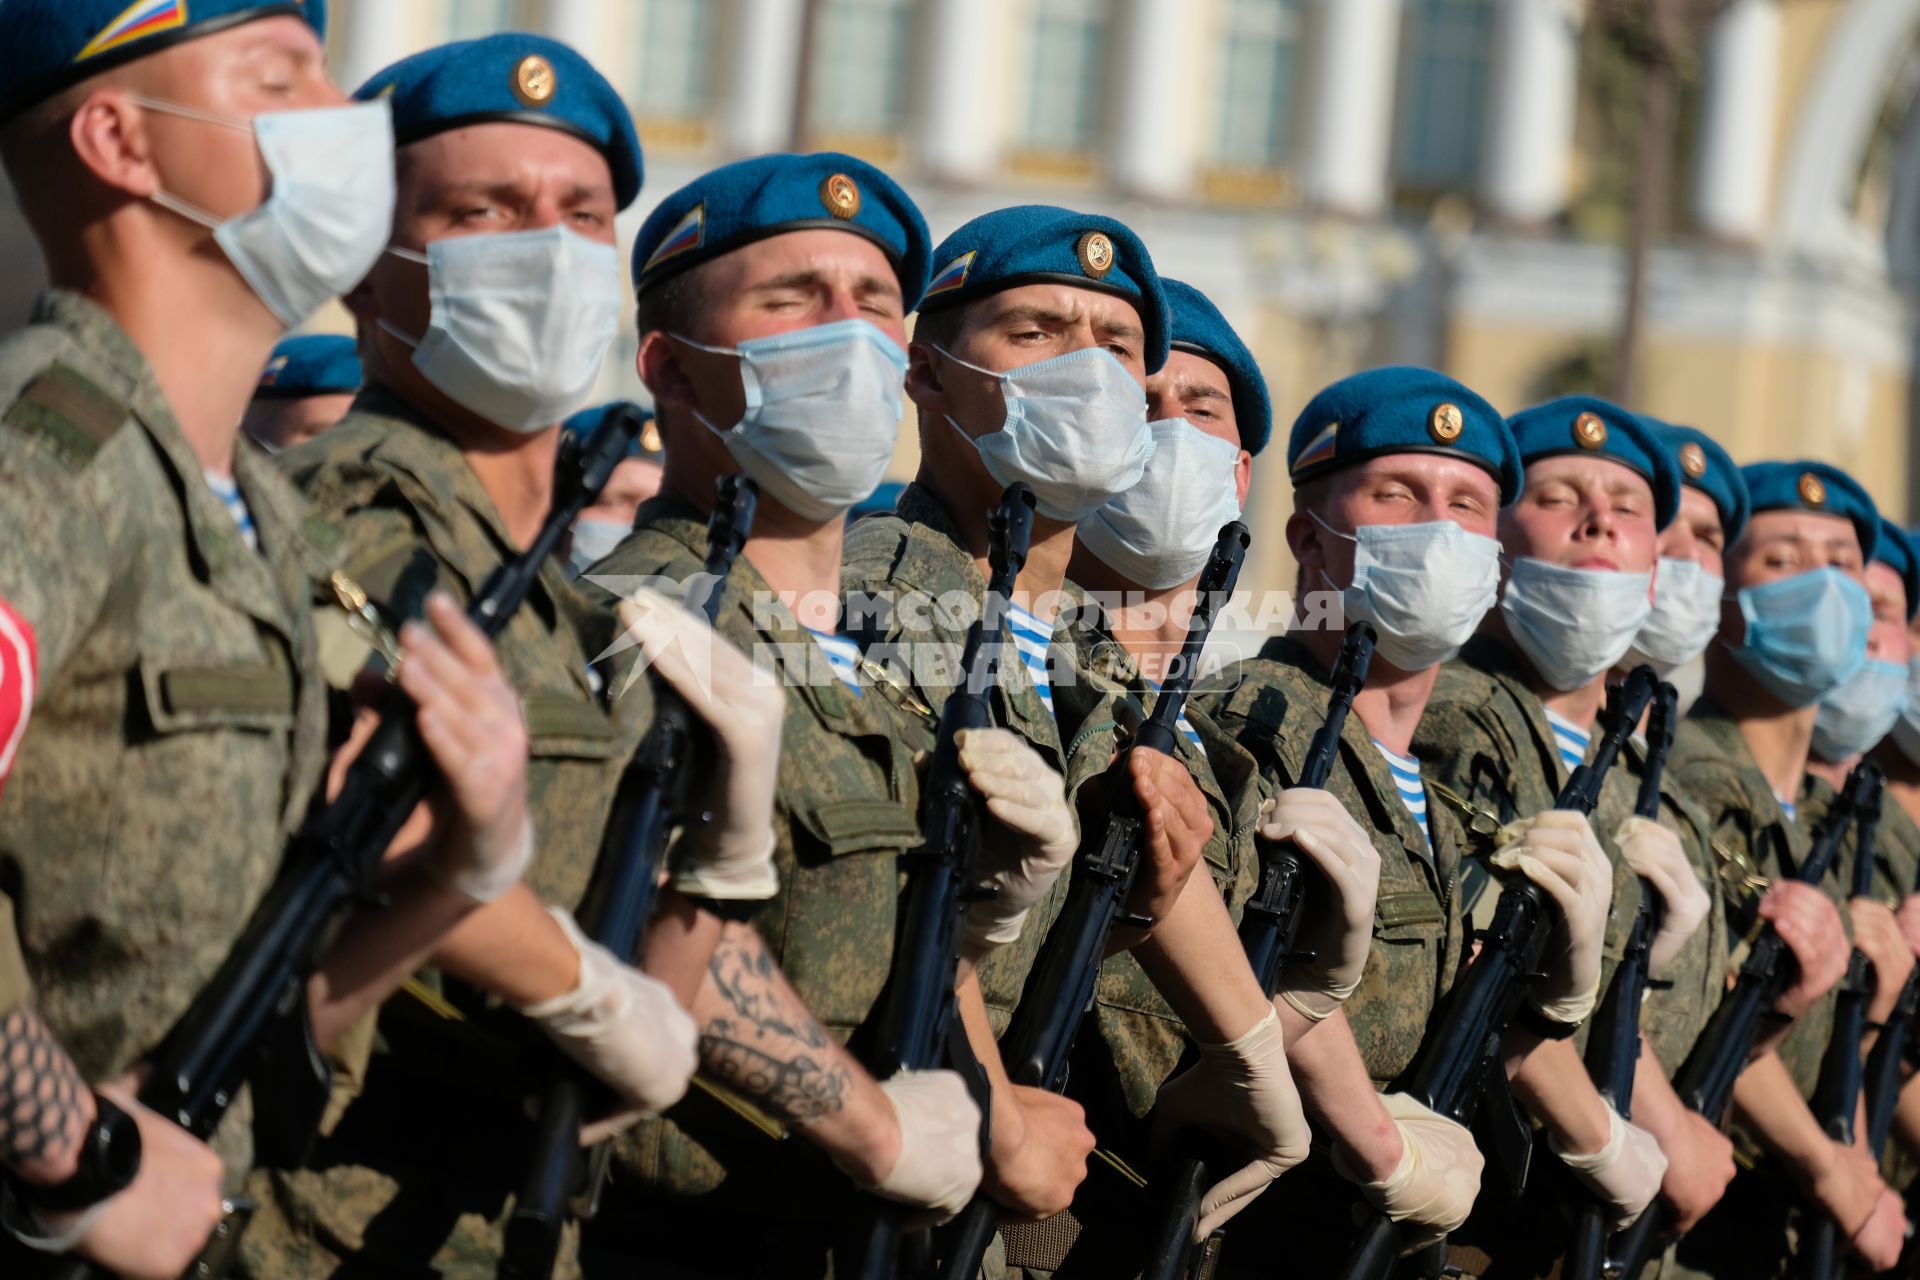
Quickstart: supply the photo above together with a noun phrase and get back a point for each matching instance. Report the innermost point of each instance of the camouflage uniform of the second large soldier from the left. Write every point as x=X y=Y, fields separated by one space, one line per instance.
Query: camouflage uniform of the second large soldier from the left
x=412 y=1175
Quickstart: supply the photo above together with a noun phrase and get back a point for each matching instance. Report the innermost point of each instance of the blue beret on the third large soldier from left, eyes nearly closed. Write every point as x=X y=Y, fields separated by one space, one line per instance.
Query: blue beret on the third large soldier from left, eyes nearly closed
x=769 y=195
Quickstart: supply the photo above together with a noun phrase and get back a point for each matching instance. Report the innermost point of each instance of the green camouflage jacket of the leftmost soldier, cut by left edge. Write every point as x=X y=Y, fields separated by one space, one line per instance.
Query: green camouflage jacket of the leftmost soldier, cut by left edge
x=180 y=728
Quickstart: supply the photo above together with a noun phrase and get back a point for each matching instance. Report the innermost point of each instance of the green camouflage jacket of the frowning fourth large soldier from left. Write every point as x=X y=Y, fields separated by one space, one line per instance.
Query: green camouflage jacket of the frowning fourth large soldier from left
x=913 y=590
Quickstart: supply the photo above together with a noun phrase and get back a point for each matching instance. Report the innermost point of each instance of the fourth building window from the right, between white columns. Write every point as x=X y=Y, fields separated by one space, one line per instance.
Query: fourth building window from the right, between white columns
x=861 y=62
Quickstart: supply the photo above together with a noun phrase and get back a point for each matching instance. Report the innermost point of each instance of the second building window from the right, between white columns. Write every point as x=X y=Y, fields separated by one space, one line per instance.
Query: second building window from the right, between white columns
x=1260 y=55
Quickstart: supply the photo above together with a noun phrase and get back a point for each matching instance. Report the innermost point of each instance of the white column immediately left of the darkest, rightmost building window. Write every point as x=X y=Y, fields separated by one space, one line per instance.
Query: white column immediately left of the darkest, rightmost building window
x=1351 y=130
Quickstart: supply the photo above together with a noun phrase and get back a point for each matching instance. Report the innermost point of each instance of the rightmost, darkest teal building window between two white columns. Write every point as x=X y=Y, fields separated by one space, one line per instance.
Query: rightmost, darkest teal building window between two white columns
x=1443 y=103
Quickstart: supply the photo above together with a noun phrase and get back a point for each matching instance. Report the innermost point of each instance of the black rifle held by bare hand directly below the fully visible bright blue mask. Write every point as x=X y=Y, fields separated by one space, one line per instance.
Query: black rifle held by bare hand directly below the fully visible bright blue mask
x=1721 y=1053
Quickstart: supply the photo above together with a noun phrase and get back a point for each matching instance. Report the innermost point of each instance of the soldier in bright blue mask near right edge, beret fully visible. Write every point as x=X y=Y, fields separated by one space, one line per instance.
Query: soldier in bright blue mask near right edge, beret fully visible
x=1808 y=540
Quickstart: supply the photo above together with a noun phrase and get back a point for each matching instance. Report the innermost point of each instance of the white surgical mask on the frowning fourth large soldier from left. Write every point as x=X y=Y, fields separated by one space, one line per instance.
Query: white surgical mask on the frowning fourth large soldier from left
x=1074 y=433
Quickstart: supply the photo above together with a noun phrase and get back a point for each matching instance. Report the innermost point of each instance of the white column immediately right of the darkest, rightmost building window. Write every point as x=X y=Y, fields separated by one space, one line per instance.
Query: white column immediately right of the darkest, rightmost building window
x=1531 y=110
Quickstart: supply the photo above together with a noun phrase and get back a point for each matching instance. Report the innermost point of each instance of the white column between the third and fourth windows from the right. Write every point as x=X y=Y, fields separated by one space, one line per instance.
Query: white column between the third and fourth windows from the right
x=957 y=135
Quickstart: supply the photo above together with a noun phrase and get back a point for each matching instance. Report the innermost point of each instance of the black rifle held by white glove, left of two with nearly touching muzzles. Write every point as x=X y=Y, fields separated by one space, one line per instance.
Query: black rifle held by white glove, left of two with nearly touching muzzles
x=1460 y=1062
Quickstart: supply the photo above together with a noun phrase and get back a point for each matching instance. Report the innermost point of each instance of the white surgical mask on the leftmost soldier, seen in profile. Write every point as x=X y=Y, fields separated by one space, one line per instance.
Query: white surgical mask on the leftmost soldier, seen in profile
x=331 y=210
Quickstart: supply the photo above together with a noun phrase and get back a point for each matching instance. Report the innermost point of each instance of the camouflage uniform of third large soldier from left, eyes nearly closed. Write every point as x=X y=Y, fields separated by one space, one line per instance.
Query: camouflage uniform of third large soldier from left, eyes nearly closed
x=846 y=811
